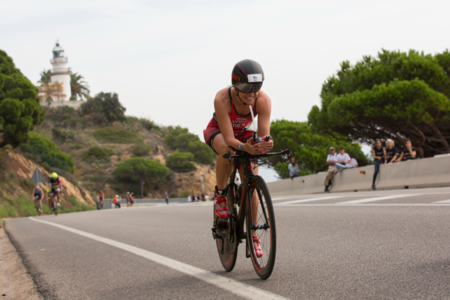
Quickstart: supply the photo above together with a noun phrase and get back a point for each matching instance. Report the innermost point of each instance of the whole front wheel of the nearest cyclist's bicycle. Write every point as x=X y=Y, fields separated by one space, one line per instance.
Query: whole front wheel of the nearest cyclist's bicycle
x=261 y=224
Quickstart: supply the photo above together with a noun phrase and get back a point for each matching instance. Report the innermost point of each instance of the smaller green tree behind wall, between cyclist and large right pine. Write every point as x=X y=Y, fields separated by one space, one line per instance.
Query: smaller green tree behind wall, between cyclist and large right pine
x=308 y=148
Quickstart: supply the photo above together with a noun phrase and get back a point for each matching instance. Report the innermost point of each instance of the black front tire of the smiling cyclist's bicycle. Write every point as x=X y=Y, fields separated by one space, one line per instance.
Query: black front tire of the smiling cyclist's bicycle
x=264 y=265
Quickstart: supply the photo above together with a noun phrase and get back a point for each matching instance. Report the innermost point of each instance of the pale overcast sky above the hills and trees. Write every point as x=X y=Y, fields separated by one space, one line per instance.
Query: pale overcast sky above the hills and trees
x=167 y=59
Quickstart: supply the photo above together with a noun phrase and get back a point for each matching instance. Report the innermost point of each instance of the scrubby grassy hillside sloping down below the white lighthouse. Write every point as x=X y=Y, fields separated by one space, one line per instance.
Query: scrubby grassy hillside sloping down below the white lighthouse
x=96 y=146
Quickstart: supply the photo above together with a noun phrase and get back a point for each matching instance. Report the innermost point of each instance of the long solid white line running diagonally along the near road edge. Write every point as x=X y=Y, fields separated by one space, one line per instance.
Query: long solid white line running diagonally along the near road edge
x=230 y=285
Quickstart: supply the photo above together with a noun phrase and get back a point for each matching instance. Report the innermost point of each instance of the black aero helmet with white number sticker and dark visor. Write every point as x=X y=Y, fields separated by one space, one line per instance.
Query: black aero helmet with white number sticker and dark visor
x=247 y=76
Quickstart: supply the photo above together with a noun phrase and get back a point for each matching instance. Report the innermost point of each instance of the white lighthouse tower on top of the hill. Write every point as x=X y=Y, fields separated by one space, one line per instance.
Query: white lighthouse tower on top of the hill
x=61 y=73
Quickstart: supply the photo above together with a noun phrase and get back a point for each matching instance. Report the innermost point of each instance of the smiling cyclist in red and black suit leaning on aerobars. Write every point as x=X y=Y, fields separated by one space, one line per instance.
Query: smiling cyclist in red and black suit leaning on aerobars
x=231 y=125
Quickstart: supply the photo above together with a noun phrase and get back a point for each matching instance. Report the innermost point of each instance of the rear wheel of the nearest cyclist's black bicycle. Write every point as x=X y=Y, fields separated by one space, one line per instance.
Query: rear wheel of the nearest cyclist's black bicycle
x=226 y=241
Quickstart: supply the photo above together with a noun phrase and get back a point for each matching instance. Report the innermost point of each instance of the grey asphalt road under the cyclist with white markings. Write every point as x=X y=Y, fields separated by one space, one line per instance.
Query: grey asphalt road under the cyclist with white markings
x=371 y=245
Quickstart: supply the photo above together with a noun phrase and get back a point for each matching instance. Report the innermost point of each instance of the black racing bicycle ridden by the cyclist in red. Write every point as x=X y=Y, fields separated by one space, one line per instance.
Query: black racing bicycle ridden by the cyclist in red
x=229 y=233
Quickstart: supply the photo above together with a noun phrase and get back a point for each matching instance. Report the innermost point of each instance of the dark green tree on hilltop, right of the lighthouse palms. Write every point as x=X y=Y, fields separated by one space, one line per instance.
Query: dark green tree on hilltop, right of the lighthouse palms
x=107 y=104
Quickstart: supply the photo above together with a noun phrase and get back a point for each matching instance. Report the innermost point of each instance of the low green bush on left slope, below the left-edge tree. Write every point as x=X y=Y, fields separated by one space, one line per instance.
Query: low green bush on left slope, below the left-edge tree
x=46 y=151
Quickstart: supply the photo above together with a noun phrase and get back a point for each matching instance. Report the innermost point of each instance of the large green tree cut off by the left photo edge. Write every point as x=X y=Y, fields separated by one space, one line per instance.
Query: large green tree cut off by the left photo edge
x=20 y=110
